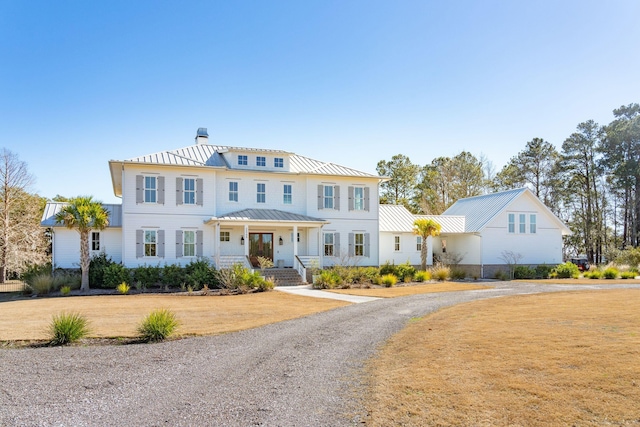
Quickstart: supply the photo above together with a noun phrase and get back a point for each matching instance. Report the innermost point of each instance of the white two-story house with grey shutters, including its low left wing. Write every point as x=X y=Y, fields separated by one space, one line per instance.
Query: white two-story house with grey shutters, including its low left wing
x=232 y=205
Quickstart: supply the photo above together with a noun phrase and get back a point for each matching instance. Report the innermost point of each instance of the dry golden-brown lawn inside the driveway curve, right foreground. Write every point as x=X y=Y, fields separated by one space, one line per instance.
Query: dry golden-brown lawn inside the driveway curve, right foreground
x=536 y=360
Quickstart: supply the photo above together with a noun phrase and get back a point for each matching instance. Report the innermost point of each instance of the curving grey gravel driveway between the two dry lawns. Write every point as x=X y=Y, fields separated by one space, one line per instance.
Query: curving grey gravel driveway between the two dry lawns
x=304 y=372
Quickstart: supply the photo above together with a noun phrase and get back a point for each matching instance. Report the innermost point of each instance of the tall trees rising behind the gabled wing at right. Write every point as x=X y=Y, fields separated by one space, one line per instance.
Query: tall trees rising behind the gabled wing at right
x=592 y=183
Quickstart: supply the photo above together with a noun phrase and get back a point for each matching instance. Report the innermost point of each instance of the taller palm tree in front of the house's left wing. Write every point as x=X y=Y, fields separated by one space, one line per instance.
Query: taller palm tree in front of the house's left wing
x=83 y=214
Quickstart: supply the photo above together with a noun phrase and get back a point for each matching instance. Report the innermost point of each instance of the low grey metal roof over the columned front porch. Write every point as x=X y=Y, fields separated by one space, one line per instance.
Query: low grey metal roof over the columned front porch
x=264 y=217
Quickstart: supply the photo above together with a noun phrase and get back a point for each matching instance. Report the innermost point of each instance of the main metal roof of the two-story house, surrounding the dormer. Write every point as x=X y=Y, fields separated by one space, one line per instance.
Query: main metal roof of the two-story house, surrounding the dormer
x=212 y=155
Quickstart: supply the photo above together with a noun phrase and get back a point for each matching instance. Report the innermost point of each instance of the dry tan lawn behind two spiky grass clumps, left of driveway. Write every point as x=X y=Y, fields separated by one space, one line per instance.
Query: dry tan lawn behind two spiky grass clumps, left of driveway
x=119 y=315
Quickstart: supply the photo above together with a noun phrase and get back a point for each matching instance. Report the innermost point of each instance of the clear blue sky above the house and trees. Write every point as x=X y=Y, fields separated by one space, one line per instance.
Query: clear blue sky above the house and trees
x=352 y=82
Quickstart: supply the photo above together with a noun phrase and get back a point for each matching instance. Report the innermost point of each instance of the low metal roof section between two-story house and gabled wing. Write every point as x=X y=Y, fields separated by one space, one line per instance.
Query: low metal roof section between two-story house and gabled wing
x=397 y=218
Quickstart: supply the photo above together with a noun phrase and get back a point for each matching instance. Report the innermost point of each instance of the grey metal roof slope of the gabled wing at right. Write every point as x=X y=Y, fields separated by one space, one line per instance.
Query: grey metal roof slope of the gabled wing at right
x=480 y=210
